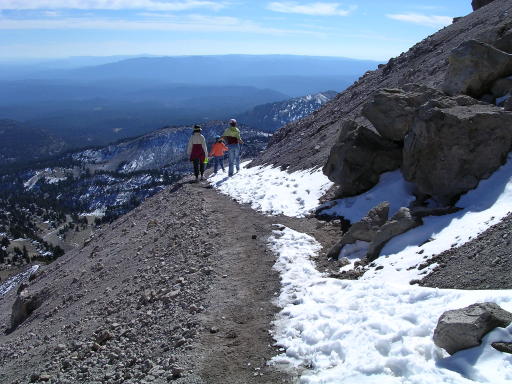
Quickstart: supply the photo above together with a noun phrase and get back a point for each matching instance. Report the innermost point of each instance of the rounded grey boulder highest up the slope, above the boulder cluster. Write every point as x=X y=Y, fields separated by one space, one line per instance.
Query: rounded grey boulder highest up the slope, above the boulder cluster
x=473 y=68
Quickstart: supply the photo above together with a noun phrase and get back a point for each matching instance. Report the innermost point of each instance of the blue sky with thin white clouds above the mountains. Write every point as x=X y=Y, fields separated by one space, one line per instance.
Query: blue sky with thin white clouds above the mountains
x=368 y=29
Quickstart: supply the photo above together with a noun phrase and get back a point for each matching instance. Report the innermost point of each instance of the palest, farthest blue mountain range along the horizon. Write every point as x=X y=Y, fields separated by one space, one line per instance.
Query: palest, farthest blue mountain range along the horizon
x=288 y=74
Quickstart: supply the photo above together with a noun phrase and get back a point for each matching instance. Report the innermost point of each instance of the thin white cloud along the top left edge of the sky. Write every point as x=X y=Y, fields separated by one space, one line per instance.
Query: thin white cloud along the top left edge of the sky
x=154 y=5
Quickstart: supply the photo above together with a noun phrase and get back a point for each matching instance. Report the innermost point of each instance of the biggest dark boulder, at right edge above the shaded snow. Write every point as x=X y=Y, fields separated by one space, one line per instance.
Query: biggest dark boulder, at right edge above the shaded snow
x=449 y=150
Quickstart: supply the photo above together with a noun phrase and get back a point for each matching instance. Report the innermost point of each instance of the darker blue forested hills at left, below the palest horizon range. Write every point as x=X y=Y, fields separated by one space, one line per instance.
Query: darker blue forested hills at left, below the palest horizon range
x=101 y=113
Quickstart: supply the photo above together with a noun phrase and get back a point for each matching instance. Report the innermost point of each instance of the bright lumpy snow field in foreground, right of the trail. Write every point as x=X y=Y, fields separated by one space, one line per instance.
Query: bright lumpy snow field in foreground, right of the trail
x=372 y=331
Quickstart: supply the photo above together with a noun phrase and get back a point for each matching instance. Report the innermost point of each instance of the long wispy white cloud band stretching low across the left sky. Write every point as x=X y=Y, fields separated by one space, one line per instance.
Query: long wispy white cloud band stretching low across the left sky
x=168 y=22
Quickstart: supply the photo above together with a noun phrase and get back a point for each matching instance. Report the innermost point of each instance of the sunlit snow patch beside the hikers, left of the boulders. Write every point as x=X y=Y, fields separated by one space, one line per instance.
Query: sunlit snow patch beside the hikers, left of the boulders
x=272 y=191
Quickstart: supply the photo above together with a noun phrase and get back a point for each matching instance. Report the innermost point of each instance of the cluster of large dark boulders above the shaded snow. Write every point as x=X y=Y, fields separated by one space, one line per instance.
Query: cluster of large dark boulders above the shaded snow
x=444 y=144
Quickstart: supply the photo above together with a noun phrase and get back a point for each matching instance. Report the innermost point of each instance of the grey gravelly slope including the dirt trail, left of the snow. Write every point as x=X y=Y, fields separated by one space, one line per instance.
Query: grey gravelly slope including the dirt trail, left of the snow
x=159 y=294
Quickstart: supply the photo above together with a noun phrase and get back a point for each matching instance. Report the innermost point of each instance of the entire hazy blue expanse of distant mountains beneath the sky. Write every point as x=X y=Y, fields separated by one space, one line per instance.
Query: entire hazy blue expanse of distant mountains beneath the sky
x=110 y=100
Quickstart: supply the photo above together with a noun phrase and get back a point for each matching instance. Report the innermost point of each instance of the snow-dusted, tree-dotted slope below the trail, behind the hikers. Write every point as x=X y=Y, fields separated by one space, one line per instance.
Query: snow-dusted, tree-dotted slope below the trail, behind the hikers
x=99 y=184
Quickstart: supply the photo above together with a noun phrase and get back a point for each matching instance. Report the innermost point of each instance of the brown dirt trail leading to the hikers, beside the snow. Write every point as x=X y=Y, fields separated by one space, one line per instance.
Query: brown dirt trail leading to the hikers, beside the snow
x=237 y=344
